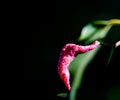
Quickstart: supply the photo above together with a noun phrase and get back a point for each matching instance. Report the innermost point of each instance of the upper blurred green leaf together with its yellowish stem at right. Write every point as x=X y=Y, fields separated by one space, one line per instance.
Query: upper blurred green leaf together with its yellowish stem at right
x=97 y=29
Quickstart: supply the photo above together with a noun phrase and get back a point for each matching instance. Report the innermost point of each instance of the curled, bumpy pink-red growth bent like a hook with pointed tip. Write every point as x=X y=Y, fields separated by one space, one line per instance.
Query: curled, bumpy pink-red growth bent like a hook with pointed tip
x=66 y=57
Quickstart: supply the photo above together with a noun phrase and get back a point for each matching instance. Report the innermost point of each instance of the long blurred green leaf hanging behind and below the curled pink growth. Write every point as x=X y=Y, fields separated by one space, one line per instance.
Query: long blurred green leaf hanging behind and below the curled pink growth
x=77 y=68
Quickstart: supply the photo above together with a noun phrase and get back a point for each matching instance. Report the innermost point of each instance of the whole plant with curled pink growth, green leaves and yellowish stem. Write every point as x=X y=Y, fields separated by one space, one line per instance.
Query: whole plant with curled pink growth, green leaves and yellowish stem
x=93 y=37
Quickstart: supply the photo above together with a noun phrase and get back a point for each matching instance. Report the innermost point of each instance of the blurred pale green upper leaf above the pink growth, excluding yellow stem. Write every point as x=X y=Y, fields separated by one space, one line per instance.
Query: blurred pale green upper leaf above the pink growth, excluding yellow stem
x=92 y=32
